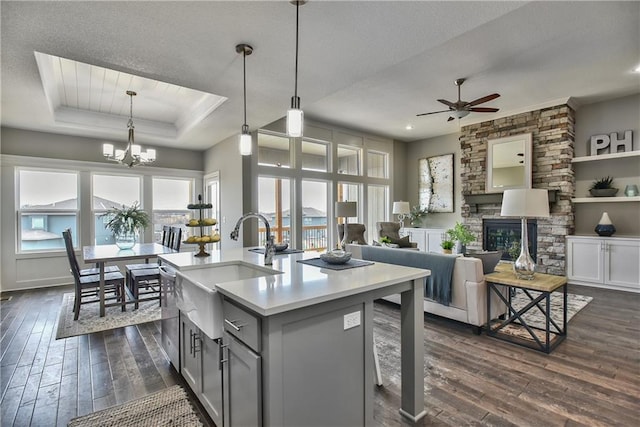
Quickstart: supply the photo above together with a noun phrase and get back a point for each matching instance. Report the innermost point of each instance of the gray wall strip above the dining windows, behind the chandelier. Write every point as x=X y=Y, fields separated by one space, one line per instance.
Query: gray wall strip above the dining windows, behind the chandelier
x=55 y=146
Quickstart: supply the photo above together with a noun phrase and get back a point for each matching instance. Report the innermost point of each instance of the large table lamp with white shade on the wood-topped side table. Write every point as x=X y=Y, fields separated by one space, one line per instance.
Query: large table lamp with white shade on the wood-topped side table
x=525 y=203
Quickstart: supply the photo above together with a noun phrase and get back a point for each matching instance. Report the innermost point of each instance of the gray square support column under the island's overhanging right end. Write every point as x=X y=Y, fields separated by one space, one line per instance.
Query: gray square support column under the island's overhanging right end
x=412 y=352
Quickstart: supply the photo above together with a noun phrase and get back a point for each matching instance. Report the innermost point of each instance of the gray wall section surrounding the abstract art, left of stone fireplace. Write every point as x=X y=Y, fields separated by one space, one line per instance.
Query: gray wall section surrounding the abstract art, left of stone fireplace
x=417 y=150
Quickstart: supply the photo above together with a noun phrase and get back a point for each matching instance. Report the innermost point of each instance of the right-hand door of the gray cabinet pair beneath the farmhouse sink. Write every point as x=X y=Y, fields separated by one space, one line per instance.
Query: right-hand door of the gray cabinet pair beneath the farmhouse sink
x=211 y=395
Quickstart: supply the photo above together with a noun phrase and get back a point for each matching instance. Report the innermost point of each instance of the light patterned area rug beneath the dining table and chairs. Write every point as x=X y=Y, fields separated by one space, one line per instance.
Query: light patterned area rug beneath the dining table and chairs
x=90 y=321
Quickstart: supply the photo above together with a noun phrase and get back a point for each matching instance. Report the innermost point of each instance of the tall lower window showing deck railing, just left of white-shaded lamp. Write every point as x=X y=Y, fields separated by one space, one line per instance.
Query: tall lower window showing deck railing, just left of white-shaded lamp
x=314 y=215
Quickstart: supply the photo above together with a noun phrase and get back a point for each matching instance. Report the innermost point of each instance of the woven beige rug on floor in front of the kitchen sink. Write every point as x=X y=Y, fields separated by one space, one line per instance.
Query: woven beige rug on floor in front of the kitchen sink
x=170 y=407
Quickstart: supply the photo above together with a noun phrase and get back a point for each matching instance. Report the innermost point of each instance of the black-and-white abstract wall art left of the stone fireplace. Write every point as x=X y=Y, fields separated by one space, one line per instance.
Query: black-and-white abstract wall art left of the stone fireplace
x=435 y=189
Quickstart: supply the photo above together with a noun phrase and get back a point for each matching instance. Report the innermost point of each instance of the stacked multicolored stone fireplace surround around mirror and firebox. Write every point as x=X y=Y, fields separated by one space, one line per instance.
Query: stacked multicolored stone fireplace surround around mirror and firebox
x=553 y=137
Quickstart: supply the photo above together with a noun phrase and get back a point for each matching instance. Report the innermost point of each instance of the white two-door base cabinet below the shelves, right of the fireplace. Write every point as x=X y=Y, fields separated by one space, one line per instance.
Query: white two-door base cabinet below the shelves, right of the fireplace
x=611 y=262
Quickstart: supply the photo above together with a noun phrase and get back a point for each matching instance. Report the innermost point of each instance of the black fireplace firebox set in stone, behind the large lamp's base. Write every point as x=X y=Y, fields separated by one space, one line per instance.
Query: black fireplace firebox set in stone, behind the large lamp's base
x=499 y=234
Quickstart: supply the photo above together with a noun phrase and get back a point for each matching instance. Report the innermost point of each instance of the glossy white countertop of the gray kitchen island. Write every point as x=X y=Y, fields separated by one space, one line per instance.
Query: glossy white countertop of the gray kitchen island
x=299 y=285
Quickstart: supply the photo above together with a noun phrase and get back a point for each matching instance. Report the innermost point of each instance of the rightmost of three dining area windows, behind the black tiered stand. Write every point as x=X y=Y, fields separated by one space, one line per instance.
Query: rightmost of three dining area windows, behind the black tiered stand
x=170 y=199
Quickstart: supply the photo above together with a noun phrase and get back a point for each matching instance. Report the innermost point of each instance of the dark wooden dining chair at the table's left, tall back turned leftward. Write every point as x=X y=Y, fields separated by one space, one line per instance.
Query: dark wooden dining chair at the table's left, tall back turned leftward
x=89 y=285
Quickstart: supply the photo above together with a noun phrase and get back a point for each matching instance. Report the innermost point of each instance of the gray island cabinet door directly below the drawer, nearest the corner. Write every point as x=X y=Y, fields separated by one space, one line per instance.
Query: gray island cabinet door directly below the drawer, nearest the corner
x=242 y=385
